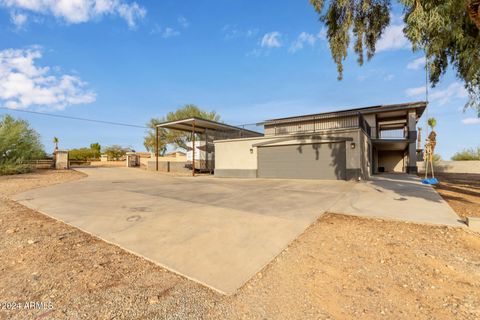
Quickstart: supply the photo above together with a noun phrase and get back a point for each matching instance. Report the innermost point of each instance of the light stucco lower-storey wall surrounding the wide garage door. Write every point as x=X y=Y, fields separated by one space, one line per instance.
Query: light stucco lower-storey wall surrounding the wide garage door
x=238 y=157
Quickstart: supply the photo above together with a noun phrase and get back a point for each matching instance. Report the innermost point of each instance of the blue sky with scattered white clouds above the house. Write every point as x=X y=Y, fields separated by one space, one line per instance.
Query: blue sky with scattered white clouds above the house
x=129 y=61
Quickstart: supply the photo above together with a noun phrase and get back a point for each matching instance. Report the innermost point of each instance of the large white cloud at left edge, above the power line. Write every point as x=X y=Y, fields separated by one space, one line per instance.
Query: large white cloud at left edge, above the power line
x=24 y=84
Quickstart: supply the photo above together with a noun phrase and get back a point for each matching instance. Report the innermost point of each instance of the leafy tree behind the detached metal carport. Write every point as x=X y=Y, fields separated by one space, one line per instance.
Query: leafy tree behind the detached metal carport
x=178 y=138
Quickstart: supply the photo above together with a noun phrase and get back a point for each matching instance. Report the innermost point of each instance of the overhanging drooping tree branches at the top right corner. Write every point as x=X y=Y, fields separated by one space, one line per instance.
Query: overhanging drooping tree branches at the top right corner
x=447 y=30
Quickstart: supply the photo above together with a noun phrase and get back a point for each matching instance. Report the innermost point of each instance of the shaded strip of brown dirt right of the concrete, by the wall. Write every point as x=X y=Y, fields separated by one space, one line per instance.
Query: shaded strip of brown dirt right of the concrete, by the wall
x=462 y=192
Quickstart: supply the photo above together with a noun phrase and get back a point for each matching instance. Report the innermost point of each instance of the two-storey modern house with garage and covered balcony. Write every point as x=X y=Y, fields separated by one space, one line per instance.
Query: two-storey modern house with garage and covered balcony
x=348 y=145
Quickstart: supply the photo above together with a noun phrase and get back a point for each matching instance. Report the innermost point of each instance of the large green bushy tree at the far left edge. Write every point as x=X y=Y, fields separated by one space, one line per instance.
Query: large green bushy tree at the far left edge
x=18 y=143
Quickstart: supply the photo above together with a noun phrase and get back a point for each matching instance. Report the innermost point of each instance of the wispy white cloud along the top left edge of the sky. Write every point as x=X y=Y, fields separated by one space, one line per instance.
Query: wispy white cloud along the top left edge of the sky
x=79 y=11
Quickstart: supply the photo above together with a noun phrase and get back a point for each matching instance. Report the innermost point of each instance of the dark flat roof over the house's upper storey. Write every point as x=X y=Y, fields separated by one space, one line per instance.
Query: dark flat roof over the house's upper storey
x=419 y=105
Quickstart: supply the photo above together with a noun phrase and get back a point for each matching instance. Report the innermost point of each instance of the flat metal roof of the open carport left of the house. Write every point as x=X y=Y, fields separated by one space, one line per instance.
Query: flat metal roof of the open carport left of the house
x=202 y=125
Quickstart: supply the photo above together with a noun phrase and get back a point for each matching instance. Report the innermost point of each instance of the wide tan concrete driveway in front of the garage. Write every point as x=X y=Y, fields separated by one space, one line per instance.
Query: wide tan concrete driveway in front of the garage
x=220 y=232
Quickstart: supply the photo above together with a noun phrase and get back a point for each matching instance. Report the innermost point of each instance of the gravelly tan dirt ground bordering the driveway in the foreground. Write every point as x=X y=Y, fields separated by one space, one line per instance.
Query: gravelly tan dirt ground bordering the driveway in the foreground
x=342 y=267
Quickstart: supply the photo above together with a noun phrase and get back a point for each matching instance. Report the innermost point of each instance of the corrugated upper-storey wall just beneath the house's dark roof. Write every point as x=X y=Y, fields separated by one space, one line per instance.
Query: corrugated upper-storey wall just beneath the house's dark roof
x=311 y=126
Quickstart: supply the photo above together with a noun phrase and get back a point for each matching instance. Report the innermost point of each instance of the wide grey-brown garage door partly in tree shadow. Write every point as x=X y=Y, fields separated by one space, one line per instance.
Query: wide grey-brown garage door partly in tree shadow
x=305 y=161
